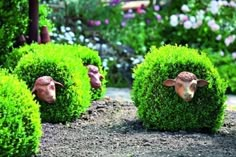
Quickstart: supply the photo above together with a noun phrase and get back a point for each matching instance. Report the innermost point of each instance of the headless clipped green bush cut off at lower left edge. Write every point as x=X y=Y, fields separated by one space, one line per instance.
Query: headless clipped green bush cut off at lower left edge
x=20 y=125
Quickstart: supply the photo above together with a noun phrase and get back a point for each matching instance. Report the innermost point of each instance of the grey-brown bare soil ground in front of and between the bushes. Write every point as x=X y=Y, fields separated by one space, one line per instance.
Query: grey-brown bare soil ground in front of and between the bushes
x=110 y=128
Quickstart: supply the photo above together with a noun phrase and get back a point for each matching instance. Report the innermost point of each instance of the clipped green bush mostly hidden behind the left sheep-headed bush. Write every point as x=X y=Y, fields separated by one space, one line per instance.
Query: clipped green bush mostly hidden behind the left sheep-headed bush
x=87 y=55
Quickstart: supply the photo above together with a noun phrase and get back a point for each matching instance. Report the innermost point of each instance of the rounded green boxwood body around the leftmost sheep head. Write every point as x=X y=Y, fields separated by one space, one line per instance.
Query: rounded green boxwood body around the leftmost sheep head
x=74 y=98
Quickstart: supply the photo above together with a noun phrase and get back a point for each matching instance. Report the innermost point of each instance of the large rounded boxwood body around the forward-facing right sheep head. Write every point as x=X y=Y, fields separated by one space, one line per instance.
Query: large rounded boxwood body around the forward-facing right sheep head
x=159 y=107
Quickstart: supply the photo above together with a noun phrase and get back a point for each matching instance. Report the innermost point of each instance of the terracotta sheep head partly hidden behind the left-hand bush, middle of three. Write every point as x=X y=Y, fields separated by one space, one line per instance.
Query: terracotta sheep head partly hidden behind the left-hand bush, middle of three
x=95 y=76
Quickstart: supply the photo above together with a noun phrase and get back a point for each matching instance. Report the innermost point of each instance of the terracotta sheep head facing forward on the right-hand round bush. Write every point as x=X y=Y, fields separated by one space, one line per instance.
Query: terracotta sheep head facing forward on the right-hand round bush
x=185 y=84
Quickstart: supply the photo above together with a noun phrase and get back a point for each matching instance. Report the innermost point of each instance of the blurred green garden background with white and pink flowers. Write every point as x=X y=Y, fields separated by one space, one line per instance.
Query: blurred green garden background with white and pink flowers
x=124 y=35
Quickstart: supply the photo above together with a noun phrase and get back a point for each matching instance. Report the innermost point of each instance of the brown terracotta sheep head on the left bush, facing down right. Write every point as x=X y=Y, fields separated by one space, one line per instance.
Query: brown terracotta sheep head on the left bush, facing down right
x=45 y=89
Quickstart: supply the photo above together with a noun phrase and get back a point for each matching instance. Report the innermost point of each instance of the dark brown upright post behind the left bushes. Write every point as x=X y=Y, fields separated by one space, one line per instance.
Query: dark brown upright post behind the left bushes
x=33 y=20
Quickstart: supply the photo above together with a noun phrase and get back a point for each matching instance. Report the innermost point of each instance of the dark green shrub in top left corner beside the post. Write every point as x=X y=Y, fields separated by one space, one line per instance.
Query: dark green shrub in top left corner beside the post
x=13 y=23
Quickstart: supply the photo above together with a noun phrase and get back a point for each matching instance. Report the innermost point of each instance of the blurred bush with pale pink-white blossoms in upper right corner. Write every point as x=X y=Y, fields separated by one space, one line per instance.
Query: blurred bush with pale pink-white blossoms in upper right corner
x=208 y=24
